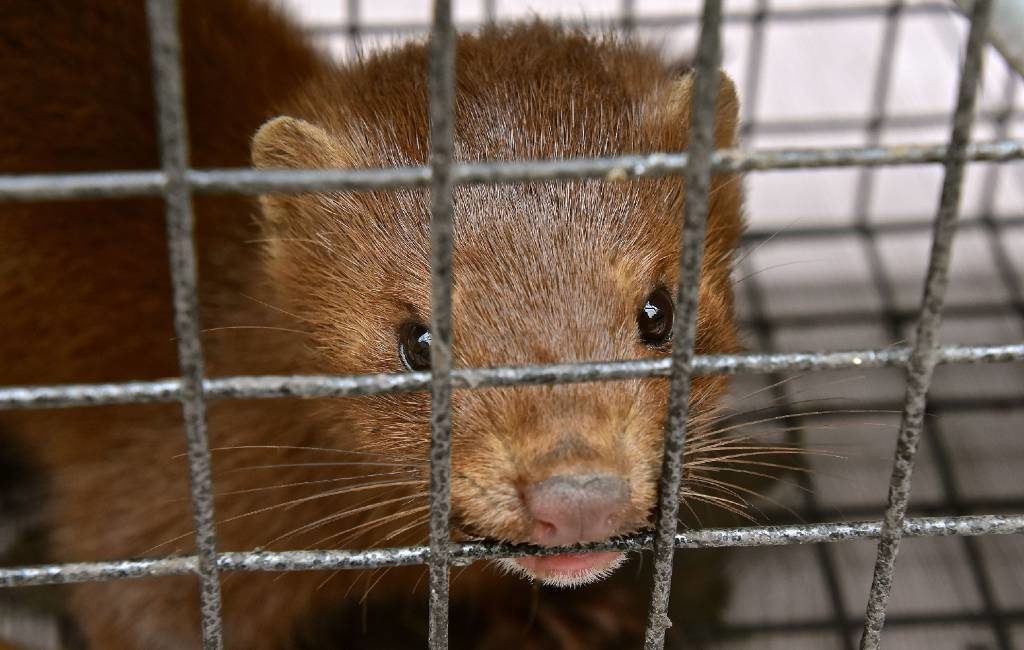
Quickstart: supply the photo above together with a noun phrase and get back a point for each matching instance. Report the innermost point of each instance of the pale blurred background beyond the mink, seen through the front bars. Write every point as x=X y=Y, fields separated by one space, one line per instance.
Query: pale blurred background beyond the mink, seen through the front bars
x=834 y=259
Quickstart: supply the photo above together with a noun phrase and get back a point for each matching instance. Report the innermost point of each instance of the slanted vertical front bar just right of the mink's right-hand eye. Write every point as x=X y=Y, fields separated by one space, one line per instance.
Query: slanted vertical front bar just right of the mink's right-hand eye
x=698 y=181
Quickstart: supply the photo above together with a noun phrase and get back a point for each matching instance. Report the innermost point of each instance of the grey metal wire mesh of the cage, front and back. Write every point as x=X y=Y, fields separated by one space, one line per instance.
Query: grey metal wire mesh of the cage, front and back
x=177 y=183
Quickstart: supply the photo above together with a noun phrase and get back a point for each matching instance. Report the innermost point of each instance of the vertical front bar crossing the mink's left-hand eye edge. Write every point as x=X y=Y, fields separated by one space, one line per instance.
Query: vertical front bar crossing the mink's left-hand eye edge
x=442 y=82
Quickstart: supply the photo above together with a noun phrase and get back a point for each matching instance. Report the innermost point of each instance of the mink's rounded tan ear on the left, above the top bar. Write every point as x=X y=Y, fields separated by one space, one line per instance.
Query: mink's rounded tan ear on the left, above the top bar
x=292 y=144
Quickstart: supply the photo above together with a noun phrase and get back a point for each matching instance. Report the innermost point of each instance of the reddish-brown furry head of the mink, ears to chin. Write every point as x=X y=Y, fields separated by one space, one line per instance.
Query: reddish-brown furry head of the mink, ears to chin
x=544 y=273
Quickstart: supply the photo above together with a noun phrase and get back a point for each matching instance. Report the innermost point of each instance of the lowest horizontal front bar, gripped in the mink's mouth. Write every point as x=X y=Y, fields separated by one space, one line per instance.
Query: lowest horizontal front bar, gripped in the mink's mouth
x=467 y=553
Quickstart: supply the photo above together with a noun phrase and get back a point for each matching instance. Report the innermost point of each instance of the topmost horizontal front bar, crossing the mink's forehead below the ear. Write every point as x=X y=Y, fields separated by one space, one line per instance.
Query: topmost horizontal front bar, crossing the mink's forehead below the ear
x=249 y=182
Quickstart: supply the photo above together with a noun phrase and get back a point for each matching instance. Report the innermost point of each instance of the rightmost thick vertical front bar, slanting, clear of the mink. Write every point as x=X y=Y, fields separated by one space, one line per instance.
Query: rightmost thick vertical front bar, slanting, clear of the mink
x=924 y=355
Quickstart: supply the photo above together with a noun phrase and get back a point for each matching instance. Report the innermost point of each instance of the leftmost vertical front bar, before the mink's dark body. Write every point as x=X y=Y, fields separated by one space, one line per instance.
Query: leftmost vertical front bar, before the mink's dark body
x=173 y=127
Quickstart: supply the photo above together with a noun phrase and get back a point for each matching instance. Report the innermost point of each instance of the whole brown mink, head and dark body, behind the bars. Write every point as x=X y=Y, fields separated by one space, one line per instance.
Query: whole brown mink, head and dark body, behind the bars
x=339 y=283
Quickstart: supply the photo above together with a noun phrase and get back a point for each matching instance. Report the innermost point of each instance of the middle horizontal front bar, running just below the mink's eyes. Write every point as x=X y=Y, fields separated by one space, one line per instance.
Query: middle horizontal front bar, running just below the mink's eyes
x=272 y=386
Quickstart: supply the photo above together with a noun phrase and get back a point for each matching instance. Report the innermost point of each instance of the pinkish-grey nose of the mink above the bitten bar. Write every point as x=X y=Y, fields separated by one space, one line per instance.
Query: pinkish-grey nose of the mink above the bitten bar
x=574 y=508
